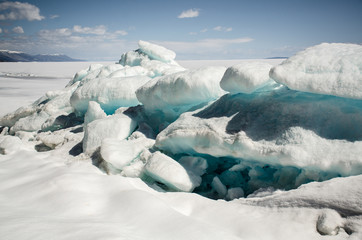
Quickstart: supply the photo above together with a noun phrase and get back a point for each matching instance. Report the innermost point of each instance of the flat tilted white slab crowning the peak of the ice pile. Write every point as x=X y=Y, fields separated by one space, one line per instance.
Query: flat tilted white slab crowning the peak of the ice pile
x=156 y=52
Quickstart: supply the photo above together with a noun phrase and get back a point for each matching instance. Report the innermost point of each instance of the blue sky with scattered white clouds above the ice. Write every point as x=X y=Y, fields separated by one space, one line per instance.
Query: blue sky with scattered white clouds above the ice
x=195 y=29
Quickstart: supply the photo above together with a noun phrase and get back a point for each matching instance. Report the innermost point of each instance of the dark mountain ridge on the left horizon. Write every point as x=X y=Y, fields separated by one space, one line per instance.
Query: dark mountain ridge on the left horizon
x=14 y=56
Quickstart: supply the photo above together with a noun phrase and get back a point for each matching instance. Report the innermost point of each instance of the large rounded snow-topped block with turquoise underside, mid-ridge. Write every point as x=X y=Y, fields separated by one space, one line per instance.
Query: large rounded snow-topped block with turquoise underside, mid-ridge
x=177 y=92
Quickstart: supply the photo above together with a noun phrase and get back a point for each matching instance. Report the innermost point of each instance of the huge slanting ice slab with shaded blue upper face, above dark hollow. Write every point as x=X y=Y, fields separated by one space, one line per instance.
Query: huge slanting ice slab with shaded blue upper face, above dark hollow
x=284 y=128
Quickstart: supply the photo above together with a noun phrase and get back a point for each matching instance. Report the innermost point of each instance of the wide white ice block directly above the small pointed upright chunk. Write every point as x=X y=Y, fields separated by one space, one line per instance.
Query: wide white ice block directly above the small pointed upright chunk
x=110 y=93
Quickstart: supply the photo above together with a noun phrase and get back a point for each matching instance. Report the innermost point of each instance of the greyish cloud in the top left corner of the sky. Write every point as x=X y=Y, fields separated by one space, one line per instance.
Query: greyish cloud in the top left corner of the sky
x=19 y=11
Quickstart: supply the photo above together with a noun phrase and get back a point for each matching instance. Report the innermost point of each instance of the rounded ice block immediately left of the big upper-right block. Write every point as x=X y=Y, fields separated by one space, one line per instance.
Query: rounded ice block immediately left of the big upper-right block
x=246 y=77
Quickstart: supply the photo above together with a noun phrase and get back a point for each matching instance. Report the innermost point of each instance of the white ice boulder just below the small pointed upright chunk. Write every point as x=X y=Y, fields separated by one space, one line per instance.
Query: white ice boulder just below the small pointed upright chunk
x=118 y=126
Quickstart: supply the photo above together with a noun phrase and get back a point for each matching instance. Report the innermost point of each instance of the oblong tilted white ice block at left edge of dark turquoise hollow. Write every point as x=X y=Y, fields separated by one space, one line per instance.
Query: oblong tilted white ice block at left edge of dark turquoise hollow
x=166 y=170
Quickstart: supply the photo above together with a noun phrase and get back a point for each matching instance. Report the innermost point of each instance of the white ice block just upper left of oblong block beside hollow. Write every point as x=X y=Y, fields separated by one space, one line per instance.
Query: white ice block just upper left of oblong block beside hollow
x=120 y=153
